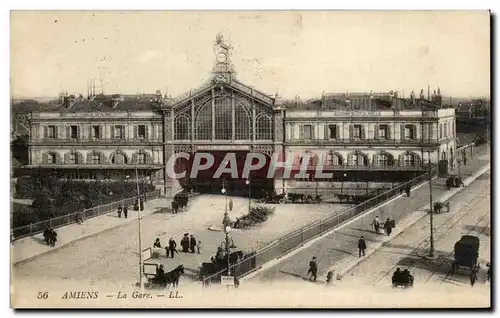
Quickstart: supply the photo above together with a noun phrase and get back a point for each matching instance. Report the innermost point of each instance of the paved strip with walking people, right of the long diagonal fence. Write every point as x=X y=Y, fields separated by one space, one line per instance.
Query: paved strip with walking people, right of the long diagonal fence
x=341 y=245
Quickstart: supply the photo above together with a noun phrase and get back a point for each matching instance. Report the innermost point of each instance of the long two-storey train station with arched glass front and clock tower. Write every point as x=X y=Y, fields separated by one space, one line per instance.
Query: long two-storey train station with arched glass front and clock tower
x=357 y=137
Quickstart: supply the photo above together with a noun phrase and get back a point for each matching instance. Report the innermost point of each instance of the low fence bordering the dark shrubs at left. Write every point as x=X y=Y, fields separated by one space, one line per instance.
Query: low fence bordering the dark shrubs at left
x=39 y=227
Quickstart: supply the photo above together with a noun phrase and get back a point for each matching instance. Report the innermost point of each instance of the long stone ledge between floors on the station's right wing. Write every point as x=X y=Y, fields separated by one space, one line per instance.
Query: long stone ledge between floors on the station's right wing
x=359 y=141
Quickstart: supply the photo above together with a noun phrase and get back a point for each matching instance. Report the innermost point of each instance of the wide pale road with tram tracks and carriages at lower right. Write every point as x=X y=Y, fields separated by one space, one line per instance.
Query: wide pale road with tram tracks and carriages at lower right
x=470 y=216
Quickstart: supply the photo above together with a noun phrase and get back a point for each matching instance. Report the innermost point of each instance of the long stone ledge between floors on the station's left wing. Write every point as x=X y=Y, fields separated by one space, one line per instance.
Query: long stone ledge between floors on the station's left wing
x=95 y=142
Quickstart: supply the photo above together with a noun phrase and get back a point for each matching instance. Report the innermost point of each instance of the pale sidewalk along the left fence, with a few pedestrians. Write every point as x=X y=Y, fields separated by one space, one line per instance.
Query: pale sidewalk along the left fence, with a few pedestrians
x=29 y=247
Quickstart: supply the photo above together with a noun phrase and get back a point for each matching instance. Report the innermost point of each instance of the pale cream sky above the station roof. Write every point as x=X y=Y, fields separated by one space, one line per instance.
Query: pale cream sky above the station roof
x=300 y=53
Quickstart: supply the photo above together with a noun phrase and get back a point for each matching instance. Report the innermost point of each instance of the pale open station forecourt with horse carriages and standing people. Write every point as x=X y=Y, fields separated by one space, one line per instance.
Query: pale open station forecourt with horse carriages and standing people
x=111 y=257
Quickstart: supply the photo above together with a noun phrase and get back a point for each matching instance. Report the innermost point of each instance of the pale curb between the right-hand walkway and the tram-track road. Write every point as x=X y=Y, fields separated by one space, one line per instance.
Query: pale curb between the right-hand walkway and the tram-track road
x=409 y=221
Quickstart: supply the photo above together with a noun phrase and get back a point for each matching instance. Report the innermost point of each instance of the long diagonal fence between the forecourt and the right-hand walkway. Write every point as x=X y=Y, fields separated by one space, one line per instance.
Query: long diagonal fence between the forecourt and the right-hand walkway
x=295 y=238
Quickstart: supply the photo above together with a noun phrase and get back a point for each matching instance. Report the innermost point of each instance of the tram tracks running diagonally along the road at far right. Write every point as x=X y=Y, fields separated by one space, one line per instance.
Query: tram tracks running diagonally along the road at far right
x=439 y=233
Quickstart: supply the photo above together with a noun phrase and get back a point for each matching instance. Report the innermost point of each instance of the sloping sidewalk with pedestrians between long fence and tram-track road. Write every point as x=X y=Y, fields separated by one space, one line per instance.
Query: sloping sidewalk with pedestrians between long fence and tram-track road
x=338 y=250
